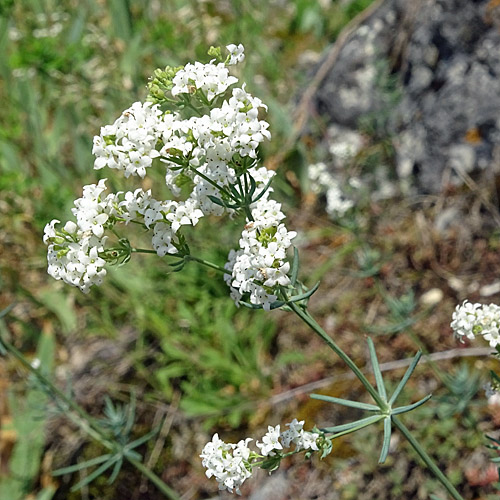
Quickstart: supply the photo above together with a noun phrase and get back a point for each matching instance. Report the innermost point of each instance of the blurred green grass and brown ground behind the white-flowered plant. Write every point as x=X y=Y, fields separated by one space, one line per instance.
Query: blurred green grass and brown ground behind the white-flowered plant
x=175 y=339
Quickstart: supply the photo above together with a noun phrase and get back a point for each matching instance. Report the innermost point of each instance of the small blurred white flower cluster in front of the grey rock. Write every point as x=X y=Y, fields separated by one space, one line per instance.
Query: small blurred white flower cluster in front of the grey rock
x=322 y=181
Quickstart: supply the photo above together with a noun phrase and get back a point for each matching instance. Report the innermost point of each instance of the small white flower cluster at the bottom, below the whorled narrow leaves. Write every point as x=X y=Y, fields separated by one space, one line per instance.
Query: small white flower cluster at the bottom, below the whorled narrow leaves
x=231 y=464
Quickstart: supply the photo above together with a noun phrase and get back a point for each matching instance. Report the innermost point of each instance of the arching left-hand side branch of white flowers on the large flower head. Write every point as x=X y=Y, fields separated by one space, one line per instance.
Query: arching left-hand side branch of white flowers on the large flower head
x=75 y=252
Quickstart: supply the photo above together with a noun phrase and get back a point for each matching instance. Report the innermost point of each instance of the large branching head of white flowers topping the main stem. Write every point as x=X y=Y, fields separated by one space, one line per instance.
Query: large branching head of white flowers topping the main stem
x=208 y=145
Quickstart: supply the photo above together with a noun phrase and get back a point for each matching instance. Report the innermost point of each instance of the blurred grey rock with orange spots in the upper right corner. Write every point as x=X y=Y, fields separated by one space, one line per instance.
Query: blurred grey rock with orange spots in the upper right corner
x=426 y=74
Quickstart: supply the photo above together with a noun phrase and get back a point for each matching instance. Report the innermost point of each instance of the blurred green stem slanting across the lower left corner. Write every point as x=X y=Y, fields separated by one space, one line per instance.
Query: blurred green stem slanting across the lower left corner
x=85 y=421
